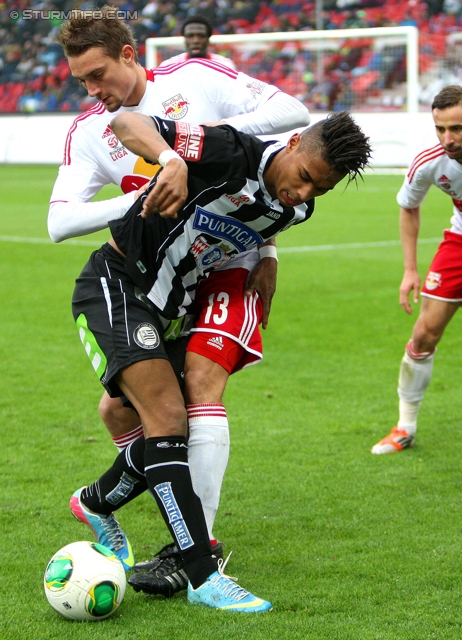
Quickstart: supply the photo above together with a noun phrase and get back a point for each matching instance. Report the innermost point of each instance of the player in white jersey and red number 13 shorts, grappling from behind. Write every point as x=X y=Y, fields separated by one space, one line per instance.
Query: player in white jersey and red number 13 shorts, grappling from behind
x=103 y=57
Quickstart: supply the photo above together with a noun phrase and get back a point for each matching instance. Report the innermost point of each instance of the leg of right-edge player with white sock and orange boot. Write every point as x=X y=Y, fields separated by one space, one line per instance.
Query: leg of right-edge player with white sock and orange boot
x=416 y=372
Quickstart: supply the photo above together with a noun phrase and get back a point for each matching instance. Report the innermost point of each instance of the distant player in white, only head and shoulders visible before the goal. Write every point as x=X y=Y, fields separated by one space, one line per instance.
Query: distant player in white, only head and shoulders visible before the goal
x=196 y=31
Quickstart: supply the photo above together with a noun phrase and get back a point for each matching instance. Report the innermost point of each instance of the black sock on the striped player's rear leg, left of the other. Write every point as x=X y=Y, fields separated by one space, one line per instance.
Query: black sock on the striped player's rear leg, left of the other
x=123 y=482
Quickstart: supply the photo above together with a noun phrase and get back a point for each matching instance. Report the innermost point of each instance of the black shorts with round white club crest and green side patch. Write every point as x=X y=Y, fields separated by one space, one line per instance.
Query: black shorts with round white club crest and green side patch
x=117 y=324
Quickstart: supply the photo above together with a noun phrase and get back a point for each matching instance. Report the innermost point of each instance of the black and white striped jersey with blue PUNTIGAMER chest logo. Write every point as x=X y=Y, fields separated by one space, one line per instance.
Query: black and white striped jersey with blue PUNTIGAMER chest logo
x=228 y=211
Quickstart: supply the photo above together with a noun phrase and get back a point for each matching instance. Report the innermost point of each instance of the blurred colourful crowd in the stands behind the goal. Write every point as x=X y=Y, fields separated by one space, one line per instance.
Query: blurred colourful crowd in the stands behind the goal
x=34 y=76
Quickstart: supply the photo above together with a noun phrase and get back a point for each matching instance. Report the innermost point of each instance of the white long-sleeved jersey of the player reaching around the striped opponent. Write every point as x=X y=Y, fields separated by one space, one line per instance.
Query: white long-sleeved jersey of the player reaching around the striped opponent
x=195 y=91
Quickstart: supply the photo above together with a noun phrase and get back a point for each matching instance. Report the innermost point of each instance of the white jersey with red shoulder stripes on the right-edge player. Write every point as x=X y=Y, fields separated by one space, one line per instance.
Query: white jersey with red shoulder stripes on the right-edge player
x=433 y=166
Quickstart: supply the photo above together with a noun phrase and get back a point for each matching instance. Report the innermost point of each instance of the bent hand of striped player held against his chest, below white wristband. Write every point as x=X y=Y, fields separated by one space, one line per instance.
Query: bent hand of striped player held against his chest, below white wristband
x=170 y=191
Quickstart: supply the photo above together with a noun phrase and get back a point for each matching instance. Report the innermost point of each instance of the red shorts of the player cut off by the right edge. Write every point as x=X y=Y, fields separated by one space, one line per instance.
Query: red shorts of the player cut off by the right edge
x=444 y=278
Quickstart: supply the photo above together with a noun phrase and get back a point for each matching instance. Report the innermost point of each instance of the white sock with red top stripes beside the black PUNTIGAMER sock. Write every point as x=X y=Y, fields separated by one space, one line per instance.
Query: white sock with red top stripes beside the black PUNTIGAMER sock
x=208 y=453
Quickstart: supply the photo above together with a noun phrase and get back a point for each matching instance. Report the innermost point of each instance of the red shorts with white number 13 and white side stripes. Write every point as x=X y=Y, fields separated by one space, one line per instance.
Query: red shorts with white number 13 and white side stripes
x=226 y=329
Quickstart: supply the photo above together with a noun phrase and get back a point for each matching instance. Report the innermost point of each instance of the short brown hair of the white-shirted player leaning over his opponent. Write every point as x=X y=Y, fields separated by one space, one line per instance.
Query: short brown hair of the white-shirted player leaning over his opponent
x=89 y=28
